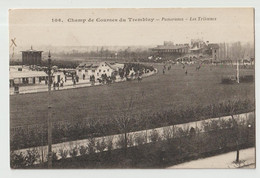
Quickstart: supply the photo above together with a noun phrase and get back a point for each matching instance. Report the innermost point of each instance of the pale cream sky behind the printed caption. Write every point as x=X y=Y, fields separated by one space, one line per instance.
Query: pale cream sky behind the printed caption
x=35 y=27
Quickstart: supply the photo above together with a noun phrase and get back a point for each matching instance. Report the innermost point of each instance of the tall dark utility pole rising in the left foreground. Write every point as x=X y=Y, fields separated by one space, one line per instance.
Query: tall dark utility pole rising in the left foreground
x=49 y=113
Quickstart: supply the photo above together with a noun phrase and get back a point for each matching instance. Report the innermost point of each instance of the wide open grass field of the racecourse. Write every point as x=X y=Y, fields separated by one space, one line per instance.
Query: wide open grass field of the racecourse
x=153 y=94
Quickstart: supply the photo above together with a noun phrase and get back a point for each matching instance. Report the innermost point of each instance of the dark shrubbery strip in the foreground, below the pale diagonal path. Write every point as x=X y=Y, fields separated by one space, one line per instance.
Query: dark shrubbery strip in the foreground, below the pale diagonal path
x=173 y=146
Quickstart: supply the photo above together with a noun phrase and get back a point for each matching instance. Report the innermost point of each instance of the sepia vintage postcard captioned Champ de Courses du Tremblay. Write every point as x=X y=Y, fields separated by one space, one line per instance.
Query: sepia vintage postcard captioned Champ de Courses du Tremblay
x=132 y=88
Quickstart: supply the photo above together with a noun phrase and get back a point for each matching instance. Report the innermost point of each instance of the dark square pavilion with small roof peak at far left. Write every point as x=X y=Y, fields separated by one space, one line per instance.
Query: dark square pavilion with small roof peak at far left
x=32 y=57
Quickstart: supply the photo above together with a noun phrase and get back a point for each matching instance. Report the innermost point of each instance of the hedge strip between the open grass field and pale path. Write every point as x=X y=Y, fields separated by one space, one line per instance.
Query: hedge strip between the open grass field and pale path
x=82 y=129
